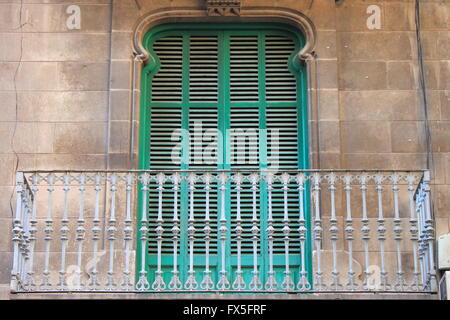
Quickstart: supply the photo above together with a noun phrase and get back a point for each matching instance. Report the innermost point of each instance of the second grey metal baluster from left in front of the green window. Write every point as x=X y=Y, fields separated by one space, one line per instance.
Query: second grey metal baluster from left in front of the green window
x=159 y=283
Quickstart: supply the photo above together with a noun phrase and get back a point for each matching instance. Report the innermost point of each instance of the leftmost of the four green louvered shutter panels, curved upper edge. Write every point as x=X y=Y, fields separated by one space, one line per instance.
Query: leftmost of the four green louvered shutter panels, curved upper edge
x=165 y=147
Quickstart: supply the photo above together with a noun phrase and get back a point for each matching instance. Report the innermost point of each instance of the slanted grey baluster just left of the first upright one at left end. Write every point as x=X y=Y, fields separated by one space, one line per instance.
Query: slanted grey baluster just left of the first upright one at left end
x=35 y=180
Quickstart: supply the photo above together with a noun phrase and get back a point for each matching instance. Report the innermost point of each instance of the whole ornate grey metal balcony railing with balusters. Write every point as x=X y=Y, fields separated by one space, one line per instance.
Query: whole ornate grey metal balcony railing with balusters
x=223 y=231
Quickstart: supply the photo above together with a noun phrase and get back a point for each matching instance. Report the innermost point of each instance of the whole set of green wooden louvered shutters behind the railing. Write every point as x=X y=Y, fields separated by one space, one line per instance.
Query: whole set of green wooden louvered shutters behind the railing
x=228 y=79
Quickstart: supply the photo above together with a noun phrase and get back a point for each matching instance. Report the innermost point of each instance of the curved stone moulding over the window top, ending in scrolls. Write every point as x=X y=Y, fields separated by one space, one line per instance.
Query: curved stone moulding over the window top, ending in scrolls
x=247 y=14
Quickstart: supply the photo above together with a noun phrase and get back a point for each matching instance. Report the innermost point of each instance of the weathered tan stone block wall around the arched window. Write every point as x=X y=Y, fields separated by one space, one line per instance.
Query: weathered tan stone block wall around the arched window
x=66 y=105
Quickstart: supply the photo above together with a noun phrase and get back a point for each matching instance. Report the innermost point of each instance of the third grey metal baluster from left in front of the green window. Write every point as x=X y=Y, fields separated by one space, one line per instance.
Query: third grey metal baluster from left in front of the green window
x=175 y=283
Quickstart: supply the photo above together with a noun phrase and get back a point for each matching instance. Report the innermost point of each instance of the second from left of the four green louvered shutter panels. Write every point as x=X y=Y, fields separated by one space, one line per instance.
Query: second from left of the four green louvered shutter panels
x=203 y=124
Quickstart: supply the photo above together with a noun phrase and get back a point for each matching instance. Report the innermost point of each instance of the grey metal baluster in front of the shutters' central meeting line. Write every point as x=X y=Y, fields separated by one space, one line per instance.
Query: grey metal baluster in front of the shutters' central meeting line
x=223 y=283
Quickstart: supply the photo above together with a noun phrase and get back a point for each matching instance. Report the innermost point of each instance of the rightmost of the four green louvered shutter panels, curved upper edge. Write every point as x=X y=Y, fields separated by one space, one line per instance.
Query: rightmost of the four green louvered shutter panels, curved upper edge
x=282 y=124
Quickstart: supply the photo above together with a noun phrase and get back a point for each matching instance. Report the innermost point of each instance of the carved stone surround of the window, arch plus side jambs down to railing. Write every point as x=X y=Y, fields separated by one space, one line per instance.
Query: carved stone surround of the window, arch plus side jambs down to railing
x=246 y=14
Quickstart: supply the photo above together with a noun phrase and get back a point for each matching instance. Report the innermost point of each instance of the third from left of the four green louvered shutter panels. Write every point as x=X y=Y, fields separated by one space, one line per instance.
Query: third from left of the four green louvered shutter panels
x=244 y=127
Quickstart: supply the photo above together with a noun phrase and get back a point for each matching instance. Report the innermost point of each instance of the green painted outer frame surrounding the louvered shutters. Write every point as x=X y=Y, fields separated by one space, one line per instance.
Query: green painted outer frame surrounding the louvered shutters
x=296 y=66
